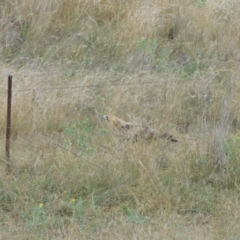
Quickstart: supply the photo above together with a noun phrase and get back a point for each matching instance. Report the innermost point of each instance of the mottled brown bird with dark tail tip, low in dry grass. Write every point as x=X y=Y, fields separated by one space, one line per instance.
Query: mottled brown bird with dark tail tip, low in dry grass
x=137 y=131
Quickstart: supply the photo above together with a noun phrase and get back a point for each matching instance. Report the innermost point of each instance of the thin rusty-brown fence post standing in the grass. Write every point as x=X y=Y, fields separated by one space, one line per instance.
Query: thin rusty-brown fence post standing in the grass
x=8 y=128
